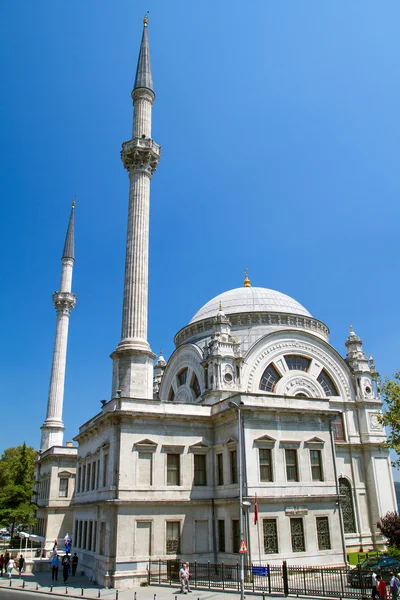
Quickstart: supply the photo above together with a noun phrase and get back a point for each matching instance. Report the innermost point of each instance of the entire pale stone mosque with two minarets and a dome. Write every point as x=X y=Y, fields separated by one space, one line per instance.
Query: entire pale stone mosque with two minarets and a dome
x=254 y=405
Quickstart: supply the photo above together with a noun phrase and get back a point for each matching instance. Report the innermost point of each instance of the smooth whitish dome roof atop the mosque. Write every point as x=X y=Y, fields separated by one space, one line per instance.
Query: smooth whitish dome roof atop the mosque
x=250 y=299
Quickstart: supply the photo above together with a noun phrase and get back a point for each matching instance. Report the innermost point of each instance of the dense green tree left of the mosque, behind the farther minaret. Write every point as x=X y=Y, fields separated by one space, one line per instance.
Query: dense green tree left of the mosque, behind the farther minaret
x=17 y=475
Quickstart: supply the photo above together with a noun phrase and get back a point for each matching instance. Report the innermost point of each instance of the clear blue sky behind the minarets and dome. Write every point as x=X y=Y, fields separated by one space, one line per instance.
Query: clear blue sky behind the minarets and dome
x=279 y=122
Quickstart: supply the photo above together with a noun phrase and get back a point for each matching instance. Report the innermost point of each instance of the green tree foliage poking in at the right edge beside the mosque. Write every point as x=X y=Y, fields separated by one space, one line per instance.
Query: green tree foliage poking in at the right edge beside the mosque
x=390 y=390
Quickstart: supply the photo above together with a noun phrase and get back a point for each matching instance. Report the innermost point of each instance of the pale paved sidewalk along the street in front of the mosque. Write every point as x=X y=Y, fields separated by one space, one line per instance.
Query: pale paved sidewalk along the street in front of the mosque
x=41 y=583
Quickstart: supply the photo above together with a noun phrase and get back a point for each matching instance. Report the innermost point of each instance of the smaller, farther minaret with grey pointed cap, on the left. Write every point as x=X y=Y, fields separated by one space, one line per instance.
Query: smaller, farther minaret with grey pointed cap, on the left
x=64 y=302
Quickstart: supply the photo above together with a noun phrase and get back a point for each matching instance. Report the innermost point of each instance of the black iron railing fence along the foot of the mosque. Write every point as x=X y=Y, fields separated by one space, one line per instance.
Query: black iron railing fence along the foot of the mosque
x=332 y=582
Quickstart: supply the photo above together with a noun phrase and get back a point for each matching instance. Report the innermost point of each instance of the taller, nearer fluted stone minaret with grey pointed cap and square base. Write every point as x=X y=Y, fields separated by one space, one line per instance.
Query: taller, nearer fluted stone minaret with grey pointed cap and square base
x=133 y=358
